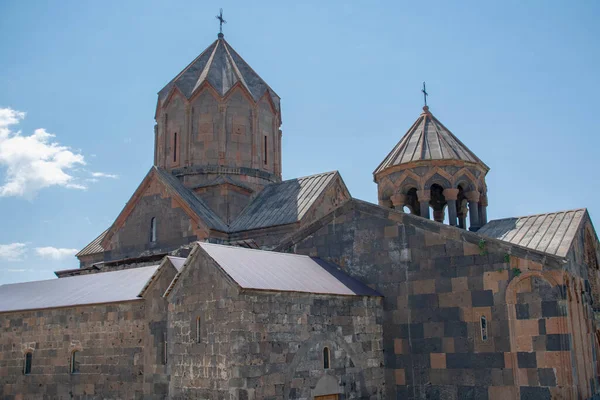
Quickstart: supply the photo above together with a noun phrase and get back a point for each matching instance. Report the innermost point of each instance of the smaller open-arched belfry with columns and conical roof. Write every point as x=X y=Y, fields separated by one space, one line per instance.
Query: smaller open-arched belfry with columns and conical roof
x=430 y=172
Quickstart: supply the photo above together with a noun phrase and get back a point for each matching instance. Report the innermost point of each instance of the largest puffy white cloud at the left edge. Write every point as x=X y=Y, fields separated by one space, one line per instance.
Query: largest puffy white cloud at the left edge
x=34 y=162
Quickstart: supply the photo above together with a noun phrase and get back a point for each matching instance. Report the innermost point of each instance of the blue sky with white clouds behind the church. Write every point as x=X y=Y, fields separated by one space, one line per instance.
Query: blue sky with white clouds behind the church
x=517 y=82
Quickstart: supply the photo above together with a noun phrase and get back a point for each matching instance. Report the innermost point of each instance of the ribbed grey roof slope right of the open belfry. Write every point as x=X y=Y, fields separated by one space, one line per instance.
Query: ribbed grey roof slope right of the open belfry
x=551 y=233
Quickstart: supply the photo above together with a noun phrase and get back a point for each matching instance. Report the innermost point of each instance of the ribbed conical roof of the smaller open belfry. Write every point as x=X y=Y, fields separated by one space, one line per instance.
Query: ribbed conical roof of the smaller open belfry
x=428 y=139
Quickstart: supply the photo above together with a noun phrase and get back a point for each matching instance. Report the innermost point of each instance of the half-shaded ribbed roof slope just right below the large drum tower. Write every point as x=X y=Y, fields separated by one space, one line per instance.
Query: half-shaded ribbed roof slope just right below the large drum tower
x=282 y=203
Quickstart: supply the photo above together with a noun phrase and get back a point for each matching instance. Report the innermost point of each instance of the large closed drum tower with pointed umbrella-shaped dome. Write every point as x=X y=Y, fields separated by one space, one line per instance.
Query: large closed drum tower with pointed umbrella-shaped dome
x=218 y=129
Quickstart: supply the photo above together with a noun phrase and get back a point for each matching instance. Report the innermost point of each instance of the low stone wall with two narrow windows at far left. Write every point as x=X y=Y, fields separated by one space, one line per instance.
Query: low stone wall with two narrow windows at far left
x=109 y=339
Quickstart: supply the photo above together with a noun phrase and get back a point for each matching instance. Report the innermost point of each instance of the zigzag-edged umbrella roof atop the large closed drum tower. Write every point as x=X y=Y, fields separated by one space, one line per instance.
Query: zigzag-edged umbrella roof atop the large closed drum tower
x=222 y=68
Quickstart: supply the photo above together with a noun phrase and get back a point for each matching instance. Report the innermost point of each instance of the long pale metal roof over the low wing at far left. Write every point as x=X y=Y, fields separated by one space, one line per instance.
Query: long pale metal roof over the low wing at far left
x=102 y=287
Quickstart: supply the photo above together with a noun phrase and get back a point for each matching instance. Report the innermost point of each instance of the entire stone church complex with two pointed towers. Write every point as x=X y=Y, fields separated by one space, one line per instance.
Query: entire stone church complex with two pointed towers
x=220 y=280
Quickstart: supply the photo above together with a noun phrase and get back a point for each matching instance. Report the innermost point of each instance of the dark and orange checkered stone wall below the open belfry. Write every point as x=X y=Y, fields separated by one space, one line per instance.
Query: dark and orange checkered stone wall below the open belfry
x=438 y=282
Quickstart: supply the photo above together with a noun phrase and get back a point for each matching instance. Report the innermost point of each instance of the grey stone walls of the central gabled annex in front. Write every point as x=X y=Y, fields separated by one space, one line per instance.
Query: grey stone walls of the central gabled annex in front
x=256 y=345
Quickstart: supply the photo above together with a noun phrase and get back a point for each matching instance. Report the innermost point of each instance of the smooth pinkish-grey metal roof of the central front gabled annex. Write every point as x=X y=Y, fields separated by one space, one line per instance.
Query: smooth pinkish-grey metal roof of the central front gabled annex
x=267 y=270
